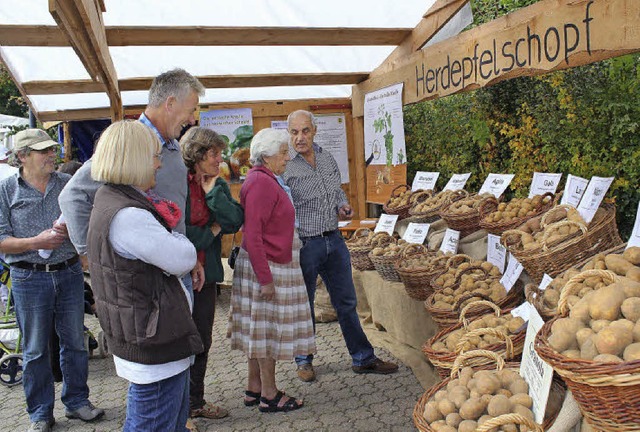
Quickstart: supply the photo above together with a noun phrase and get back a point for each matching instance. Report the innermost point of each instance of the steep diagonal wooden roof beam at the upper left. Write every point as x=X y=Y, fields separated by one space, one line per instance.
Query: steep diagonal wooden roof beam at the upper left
x=81 y=22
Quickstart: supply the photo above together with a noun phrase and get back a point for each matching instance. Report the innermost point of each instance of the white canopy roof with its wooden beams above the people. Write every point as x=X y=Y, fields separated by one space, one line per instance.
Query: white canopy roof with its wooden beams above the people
x=73 y=59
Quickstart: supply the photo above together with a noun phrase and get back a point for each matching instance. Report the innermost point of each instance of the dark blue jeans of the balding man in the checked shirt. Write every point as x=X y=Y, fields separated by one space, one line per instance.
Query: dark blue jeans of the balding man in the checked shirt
x=329 y=257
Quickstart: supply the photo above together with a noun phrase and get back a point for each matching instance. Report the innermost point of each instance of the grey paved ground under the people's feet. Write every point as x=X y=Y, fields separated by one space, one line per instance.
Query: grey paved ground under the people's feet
x=338 y=401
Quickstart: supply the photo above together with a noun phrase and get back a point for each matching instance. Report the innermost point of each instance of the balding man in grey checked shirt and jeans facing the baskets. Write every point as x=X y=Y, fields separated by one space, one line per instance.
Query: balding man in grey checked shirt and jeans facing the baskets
x=314 y=179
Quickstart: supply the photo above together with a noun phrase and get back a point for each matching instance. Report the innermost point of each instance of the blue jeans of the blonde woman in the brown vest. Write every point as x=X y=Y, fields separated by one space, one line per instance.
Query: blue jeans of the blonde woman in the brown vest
x=160 y=406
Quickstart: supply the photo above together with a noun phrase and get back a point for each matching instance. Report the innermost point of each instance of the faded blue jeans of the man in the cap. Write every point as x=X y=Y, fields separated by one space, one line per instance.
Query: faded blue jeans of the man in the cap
x=40 y=298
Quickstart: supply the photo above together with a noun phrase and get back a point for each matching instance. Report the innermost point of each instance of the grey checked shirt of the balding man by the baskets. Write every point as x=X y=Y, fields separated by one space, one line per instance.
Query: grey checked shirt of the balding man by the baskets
x=317 y=192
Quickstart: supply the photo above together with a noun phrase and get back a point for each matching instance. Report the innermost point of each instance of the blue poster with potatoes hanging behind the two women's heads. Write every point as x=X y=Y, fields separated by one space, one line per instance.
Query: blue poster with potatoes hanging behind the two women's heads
x=235 y=126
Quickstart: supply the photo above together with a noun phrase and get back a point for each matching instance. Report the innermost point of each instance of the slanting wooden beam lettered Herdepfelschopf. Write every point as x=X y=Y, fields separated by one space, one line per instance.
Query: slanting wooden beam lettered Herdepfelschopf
x=546 y=36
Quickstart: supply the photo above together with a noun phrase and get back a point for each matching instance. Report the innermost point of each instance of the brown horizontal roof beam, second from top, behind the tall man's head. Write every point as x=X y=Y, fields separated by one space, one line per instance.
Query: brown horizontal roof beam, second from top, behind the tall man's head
x=220 y=81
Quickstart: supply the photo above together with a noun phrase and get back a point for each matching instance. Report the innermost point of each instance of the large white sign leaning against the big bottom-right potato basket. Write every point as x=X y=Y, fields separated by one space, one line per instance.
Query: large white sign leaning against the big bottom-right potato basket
x=534 y=370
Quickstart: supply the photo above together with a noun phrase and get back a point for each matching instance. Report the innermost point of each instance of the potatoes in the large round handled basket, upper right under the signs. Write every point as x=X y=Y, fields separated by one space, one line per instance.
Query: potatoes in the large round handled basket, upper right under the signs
x=548 y=230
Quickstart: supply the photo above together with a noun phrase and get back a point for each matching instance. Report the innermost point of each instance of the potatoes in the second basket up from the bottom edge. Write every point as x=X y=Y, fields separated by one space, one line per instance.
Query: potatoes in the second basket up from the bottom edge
x=506 y=324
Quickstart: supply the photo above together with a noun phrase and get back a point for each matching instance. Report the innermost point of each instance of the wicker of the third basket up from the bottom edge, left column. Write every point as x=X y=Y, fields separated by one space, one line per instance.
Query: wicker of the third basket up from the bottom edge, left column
x=447 y=317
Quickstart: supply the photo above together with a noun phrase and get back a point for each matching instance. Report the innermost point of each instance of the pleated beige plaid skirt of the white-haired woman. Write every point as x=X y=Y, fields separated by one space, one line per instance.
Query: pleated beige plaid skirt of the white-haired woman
x=279 y=329
